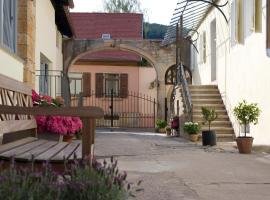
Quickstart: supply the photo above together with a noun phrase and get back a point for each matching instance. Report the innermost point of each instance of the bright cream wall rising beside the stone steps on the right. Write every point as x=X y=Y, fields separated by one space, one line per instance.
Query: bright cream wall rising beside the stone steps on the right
x=242 y=71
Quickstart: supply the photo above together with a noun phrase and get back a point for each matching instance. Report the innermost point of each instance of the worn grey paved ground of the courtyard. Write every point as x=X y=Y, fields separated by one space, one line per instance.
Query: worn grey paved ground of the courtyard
x=175 y=169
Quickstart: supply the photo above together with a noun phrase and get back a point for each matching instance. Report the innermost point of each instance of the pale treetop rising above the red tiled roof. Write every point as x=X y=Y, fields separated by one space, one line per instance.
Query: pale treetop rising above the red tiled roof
x=122 y=6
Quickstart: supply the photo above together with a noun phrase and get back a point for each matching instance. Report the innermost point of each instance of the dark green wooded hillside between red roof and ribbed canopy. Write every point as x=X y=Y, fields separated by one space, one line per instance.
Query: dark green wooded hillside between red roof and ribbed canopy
x=154 y=31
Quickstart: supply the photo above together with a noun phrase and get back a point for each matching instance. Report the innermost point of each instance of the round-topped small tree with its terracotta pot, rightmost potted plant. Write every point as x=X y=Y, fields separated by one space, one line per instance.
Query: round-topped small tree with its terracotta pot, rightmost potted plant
x=246 y=114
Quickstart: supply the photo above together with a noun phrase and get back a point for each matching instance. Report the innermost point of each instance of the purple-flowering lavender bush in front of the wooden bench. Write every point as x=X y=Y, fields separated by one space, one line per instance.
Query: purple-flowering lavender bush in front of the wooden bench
x=78 y=181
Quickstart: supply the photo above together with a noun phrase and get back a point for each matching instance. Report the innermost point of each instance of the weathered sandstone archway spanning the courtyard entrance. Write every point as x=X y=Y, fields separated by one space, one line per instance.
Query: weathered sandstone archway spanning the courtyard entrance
x=158 y=56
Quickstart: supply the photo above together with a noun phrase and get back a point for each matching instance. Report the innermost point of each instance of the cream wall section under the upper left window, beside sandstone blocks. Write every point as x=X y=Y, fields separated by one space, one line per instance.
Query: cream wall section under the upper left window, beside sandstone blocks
x=11 y=65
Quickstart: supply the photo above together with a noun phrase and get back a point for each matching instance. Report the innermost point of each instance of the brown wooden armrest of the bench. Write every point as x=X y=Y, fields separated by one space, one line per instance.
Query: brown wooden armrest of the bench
x=84 y=112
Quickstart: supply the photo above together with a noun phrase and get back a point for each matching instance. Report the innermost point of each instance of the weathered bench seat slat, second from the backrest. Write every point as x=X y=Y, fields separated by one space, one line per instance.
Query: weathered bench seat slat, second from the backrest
x=21 y=149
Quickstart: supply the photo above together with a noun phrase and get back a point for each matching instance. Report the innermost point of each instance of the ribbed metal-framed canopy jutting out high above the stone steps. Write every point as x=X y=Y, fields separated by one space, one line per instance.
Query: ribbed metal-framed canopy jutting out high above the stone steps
x=193 y=13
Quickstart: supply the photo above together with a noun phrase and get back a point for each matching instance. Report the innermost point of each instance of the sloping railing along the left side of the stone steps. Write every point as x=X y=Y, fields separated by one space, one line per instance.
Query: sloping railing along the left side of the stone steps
x=187 y=100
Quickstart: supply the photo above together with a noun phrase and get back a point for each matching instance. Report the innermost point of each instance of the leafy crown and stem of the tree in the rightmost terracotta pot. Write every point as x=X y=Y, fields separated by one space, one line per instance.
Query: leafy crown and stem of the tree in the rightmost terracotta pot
x=247 y=113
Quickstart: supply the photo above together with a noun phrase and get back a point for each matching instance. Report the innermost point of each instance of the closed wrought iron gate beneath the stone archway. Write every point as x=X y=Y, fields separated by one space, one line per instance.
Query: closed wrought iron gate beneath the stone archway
x=132 y=110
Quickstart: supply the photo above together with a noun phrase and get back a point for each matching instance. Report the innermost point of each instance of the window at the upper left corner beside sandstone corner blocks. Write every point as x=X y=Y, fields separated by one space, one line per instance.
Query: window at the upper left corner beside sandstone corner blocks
x=8 y=17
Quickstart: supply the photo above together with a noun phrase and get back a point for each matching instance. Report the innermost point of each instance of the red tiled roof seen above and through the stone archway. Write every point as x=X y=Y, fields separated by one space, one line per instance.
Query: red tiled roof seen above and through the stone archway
x=118 y=25
